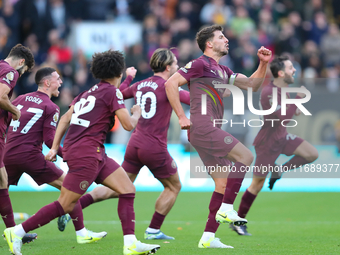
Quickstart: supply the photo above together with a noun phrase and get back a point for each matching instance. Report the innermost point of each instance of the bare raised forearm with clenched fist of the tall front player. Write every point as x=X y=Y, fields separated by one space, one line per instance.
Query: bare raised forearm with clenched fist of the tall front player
x=256 y=79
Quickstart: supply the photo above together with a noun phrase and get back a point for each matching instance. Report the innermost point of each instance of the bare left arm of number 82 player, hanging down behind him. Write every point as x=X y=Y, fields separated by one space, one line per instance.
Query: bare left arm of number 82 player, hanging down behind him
x=64 y=123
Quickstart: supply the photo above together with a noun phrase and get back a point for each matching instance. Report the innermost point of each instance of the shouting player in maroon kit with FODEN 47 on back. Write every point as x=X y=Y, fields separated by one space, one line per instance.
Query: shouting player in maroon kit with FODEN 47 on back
x=23 y=149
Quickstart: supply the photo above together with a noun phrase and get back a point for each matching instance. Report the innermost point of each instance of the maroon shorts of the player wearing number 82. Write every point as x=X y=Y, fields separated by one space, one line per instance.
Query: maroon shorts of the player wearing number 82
x=84 y=171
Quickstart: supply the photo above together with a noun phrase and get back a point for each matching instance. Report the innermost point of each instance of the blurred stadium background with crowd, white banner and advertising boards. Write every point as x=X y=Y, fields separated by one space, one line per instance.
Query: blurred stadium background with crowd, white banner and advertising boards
x=64 y=35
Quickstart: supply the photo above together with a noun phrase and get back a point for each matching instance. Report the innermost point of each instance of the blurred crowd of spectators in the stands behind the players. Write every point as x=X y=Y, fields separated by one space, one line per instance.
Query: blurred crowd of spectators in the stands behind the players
x=306 y=29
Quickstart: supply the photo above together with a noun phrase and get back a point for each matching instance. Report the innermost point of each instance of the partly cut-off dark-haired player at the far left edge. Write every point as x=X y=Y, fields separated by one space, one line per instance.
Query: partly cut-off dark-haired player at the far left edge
x=19 y=60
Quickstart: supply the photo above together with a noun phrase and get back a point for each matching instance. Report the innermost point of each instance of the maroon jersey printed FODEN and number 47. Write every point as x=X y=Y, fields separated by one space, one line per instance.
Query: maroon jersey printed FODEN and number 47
x=38 y=120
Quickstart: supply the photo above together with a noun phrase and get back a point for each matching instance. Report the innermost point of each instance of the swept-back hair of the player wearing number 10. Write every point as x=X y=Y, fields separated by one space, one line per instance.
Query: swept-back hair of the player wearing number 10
x=160 y=59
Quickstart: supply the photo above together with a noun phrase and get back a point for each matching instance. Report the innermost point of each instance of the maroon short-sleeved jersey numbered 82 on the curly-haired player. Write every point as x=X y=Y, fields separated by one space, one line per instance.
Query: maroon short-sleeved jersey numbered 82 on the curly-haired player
x=93 y=116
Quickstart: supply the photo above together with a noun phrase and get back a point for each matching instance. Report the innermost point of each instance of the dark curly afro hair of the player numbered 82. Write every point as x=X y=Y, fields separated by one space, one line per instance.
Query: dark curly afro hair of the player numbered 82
x=107 y=65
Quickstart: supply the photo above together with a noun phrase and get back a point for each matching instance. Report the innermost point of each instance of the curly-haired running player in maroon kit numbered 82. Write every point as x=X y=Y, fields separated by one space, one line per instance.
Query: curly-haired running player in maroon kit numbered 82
x=88 y=120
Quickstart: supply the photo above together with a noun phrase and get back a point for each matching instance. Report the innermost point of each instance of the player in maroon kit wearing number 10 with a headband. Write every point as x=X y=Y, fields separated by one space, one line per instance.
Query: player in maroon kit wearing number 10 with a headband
x=148 y=143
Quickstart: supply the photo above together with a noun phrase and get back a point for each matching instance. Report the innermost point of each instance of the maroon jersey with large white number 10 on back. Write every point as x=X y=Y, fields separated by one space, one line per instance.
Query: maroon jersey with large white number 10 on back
x=152 y=128
